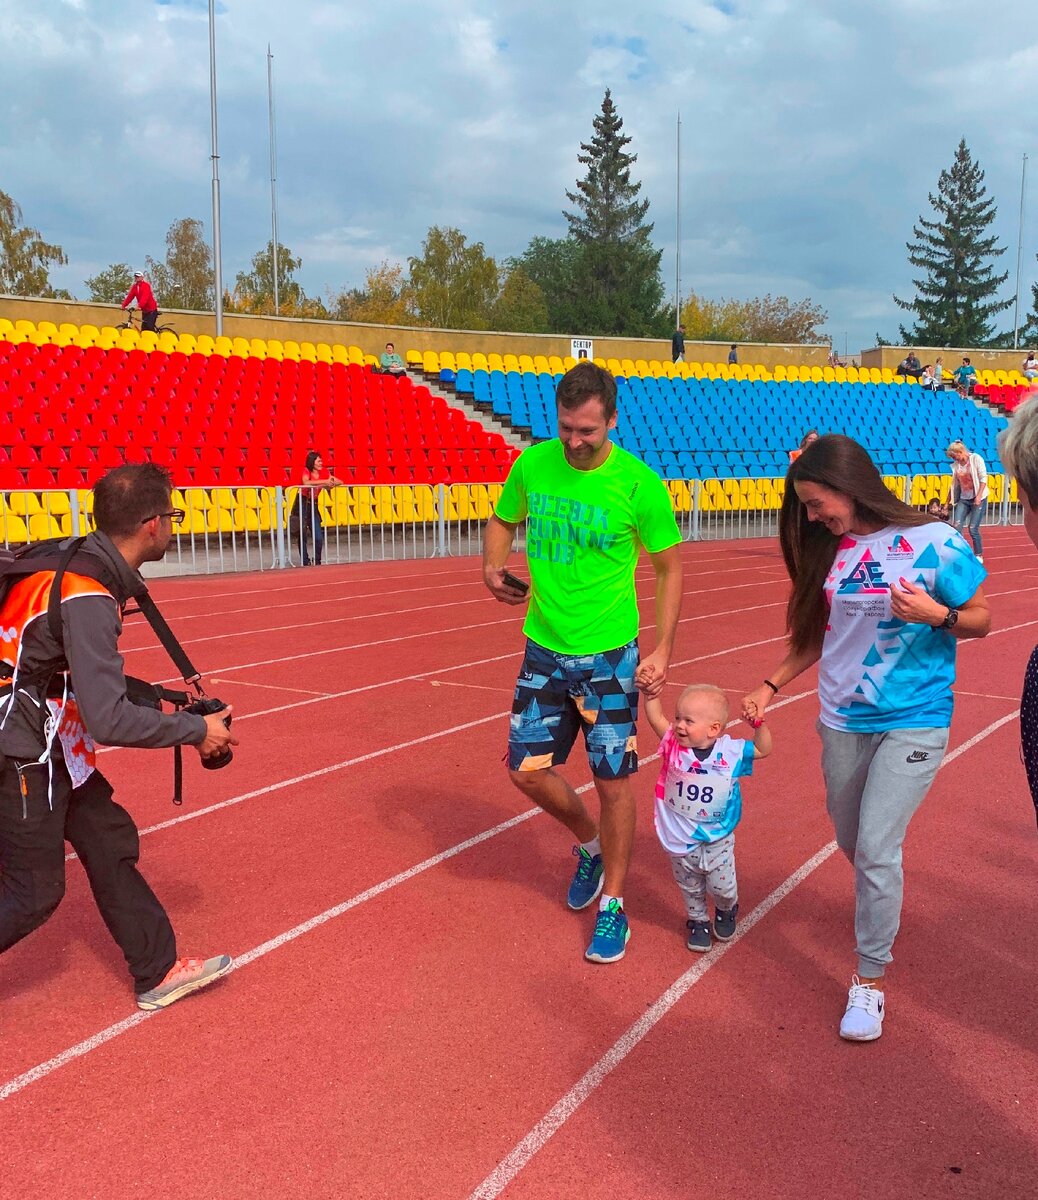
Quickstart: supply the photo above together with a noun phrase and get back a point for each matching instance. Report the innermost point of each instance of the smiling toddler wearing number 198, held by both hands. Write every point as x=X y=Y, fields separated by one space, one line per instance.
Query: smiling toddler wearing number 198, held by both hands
x=699 y=805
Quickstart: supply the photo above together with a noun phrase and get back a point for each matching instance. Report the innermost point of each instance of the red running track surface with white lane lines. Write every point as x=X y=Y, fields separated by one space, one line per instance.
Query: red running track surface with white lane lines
x=411 y=1042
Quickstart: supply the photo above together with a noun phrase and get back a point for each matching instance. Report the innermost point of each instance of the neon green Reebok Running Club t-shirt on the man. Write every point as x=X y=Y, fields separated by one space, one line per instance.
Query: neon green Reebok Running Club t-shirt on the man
x=585 y=531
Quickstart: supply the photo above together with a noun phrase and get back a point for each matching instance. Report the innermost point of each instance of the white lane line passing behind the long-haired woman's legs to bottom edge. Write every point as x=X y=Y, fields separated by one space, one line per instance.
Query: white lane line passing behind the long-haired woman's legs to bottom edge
x=511 y=1167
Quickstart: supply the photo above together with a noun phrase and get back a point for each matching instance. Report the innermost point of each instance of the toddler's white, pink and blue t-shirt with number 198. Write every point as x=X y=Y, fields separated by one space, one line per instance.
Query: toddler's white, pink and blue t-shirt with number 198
x=700 y=801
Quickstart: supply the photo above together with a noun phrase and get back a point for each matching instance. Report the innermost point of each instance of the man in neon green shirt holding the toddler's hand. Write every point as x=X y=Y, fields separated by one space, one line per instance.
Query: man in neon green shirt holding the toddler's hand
x=590 y=508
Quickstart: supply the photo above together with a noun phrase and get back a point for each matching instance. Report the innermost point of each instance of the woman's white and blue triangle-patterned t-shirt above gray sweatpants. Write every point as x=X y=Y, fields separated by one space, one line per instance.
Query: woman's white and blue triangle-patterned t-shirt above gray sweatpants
x=878 y=673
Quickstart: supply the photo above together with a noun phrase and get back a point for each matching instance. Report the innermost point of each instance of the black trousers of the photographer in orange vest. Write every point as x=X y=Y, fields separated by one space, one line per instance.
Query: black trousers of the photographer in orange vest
x=33 y=835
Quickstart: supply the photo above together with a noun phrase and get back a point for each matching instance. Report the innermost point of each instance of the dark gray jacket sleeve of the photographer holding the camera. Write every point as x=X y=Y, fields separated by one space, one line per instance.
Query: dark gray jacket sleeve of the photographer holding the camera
x=91 y=628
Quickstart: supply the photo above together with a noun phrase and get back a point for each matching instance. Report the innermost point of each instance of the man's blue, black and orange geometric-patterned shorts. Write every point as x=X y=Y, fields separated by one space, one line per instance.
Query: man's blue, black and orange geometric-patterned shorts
x=557 y=695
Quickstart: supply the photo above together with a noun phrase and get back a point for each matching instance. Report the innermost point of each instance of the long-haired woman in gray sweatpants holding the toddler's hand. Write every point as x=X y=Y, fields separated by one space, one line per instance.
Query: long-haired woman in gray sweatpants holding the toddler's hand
x=849 y=544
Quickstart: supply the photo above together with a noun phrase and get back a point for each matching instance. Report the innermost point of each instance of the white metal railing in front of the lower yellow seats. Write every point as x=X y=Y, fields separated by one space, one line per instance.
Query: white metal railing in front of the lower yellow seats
x=266 y=529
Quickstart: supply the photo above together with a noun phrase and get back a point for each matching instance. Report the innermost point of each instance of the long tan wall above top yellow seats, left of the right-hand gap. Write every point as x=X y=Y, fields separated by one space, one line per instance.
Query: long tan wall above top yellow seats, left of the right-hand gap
x=373 y=339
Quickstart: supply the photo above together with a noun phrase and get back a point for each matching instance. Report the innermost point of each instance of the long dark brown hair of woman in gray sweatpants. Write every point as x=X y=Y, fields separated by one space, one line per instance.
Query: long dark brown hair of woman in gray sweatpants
x=808 y=548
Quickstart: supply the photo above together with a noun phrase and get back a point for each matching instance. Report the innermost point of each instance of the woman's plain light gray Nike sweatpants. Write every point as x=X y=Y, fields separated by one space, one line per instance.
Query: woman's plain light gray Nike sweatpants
x=874 y=784
